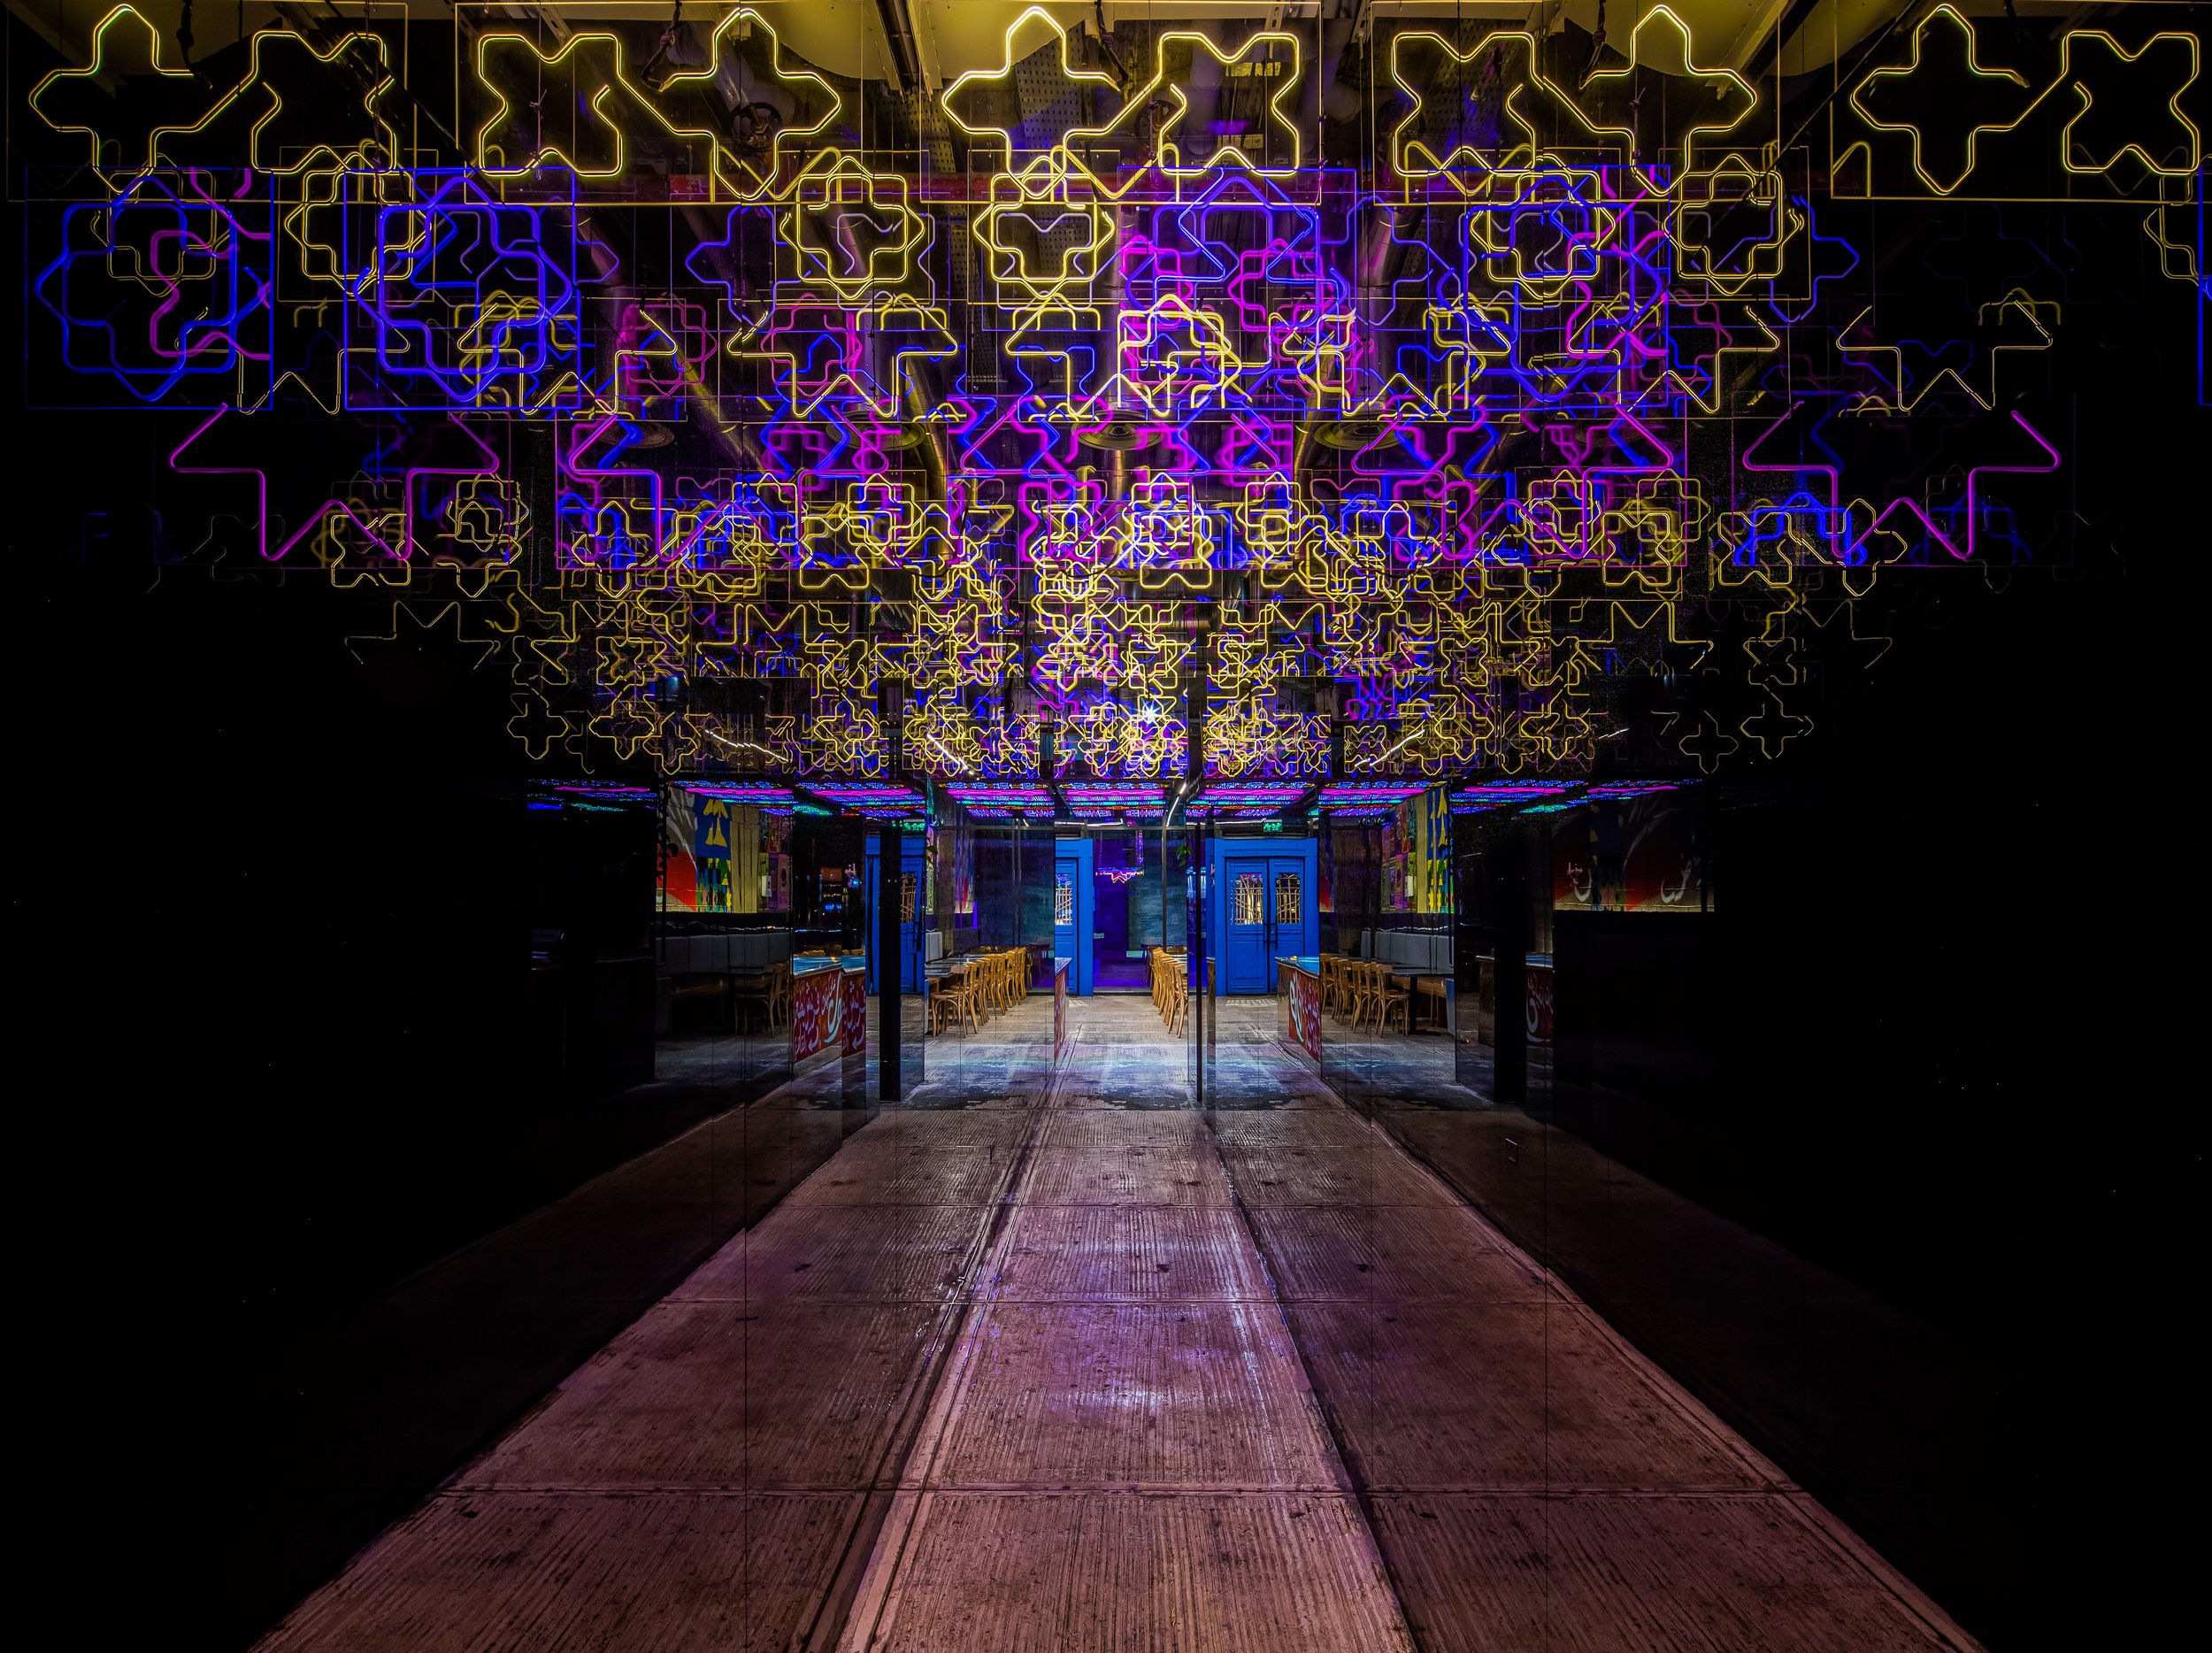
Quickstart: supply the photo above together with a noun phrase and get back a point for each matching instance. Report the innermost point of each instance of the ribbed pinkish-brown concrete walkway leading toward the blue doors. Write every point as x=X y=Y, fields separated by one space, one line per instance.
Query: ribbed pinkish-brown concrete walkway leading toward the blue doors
x=1050 y=1360
